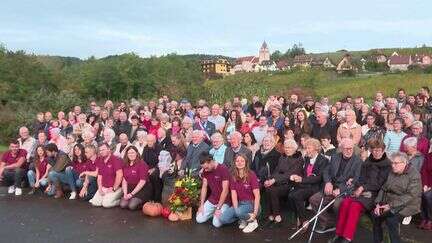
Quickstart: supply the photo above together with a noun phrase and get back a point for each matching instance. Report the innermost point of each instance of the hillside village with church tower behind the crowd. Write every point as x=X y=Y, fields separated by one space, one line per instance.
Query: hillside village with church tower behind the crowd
x=342 y=62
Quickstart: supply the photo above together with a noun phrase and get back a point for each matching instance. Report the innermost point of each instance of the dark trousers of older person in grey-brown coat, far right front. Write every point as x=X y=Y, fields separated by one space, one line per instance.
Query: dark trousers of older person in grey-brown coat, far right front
x=392 y=221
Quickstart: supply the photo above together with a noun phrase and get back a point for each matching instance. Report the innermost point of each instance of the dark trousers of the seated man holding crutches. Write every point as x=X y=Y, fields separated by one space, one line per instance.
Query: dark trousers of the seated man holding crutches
x=328 y=217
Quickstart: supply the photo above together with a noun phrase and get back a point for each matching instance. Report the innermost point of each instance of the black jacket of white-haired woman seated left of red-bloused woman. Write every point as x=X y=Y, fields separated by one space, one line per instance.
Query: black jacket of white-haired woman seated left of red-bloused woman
x=287 y=166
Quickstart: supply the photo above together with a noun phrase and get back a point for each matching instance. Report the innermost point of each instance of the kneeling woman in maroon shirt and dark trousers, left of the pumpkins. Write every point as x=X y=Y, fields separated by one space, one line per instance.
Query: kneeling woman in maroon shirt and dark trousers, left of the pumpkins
x=136 y=189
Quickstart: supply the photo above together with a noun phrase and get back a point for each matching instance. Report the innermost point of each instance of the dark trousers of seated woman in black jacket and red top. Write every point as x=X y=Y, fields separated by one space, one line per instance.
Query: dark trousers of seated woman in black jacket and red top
x=298 y=198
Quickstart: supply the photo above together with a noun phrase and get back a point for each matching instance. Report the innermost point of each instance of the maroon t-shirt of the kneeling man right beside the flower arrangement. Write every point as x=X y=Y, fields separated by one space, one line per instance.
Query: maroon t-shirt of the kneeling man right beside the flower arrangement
x=214 y=180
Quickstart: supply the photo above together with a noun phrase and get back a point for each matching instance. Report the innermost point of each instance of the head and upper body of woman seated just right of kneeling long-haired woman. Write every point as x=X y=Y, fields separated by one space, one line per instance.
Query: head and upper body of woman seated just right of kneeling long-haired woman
x=266 y=159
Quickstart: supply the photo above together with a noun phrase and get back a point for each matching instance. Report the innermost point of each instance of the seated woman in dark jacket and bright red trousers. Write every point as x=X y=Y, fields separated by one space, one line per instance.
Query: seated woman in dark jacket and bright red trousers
x=374 y=173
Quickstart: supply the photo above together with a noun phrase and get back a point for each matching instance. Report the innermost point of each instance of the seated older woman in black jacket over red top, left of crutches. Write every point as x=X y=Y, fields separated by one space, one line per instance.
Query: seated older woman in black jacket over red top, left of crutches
x=308 y=180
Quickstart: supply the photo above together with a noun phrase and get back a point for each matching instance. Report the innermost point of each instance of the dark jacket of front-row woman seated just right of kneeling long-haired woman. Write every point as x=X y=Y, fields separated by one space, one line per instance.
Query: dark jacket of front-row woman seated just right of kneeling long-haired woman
x=265 y=164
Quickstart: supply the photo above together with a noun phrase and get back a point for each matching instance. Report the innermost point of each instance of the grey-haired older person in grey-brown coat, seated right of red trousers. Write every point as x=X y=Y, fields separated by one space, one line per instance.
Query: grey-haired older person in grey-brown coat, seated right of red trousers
x=399 y=197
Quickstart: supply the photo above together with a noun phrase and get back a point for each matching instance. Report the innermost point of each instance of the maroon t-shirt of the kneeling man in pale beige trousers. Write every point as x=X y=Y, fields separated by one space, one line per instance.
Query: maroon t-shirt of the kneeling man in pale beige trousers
x=108 y=170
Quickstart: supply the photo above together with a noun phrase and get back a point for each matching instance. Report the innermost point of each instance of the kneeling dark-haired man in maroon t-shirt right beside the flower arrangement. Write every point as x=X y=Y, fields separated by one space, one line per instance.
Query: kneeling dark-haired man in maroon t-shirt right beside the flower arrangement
x=215 y=177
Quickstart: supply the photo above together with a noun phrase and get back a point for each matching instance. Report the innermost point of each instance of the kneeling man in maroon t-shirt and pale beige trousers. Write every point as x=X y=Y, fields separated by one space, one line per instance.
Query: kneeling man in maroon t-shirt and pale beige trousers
x=110 y=176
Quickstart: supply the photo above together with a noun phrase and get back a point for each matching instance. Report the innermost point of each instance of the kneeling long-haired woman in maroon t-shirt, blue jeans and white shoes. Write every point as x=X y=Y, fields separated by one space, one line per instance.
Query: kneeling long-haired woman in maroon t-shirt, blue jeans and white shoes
x=245 y=196
